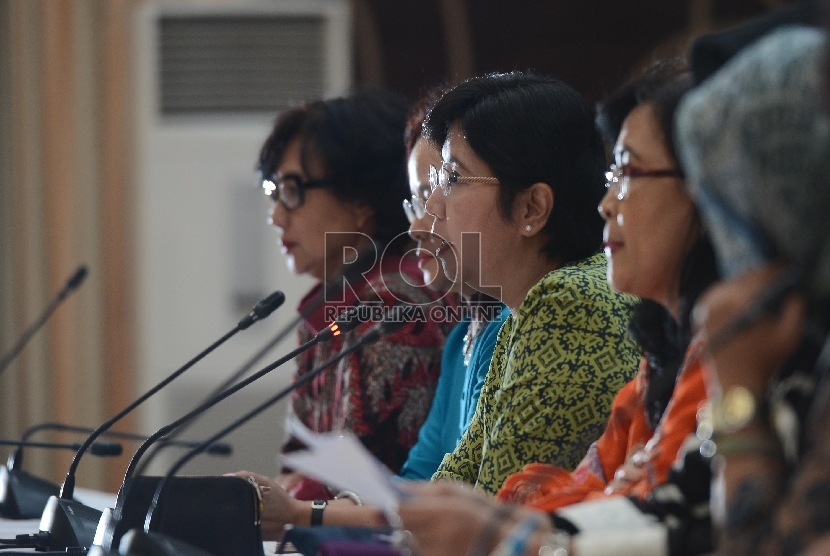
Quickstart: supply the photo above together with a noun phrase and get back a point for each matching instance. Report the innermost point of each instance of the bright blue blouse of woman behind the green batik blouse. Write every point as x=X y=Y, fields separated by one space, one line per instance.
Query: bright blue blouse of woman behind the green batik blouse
x=455 y=400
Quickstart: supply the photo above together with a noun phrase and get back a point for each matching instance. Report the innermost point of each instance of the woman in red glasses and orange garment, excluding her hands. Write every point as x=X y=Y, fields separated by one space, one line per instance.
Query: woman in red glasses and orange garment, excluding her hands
x=654 y=413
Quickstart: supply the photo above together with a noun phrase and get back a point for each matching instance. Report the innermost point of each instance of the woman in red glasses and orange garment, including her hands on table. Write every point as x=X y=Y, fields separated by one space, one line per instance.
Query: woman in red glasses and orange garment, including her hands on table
x=657 y=250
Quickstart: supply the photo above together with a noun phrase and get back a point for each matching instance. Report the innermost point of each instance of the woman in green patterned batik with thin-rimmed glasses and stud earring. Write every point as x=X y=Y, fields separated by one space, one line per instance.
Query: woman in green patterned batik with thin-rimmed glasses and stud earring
x=514 y=202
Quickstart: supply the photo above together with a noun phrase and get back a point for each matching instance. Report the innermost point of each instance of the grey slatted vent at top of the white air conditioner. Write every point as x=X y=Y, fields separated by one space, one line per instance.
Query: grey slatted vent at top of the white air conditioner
x=220 y=64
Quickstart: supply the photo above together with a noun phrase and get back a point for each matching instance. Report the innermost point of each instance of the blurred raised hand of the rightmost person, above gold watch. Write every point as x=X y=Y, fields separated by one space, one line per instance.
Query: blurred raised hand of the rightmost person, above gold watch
x=750 y=357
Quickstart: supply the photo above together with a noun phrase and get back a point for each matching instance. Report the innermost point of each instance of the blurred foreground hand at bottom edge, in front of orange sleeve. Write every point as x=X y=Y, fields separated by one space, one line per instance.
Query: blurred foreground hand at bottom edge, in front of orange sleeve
x=446 y=519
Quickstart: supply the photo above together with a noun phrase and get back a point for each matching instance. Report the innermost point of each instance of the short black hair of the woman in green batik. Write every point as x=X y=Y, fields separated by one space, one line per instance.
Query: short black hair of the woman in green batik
x=531 y=128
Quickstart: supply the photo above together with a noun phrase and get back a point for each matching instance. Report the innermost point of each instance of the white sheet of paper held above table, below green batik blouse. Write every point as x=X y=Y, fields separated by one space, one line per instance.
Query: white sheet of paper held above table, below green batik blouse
x=341 y=461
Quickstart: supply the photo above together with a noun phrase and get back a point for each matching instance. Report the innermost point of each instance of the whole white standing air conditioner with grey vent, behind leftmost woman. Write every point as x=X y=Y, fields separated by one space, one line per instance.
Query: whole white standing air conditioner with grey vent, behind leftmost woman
x=209 y=78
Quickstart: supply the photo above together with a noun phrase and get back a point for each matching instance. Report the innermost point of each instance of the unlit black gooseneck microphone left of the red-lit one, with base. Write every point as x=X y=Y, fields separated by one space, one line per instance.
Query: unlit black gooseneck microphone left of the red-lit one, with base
x=70 y=523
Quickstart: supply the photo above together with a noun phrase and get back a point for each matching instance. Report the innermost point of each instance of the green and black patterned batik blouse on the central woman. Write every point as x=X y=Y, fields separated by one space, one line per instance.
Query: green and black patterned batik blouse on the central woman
x=558 y=363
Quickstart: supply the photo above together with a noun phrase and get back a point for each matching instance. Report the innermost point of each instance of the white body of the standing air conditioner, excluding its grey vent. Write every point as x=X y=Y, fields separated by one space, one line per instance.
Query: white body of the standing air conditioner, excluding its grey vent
x=202 y=237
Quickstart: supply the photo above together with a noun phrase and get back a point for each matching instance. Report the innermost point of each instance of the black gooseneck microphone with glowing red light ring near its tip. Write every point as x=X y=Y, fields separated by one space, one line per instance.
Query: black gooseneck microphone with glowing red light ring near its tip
x=110 y=528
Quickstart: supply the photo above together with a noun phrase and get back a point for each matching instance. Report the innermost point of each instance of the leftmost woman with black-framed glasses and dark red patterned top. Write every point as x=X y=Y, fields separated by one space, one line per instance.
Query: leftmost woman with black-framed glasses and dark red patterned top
x=336 y=172
